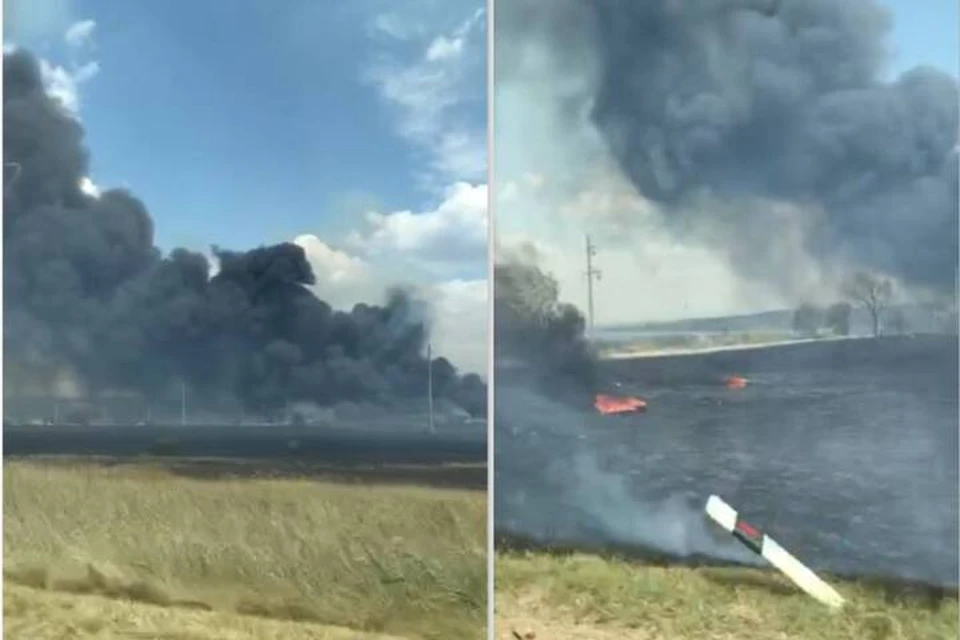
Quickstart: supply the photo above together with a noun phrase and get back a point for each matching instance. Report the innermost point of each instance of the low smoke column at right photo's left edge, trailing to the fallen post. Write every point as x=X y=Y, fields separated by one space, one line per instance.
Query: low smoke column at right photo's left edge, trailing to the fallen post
x=550 y=485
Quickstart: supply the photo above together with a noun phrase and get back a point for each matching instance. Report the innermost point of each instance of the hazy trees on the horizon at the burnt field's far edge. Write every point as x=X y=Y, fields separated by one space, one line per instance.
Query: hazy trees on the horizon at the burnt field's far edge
x=872 y=293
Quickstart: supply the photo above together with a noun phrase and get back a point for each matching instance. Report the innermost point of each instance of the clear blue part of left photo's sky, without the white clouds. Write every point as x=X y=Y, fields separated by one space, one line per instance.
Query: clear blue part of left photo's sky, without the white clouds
x=240 y=124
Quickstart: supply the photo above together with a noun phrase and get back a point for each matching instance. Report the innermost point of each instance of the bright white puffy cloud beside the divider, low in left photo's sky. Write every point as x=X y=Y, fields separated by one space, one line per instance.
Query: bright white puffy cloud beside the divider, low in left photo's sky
x=453 y=232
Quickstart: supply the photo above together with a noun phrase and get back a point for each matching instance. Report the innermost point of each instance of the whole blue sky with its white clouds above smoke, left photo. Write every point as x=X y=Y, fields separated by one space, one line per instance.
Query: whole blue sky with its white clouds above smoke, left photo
x=357 y=128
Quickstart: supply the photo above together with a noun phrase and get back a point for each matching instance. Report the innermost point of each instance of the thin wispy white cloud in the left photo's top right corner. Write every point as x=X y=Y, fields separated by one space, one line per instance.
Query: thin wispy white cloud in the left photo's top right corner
x=438 y=93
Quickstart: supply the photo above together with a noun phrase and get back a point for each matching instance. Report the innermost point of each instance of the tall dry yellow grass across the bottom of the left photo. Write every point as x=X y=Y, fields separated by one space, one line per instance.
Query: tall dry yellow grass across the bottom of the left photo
x=142 y=552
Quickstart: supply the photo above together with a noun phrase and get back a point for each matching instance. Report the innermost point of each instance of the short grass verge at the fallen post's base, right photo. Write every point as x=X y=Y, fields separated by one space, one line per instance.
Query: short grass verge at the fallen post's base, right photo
x=589 y=598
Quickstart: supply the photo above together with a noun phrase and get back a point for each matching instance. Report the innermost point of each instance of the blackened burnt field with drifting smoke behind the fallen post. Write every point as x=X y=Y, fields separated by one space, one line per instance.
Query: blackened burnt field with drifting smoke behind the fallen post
x=845 y=452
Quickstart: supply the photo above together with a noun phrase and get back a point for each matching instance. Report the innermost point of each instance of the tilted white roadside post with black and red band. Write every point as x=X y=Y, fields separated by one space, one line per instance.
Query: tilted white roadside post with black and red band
x=766 y=547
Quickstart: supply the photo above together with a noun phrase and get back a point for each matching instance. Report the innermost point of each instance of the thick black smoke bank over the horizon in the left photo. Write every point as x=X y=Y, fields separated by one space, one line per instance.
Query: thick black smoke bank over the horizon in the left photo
x=86 y=292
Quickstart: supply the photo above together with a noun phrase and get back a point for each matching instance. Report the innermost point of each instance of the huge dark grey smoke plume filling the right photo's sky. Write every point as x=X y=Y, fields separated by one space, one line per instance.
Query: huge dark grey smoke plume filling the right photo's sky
x=750 y=101
